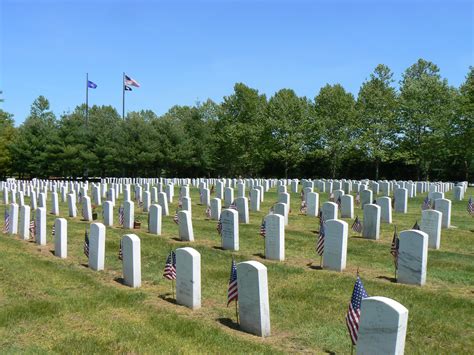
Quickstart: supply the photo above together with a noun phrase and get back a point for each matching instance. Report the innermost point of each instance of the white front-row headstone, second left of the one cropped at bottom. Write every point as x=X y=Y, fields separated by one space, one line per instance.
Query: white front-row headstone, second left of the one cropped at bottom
x=188 y=277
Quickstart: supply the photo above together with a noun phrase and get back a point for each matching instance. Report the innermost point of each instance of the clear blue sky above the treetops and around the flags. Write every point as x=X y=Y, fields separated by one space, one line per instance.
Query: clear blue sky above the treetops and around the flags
x=181 y=51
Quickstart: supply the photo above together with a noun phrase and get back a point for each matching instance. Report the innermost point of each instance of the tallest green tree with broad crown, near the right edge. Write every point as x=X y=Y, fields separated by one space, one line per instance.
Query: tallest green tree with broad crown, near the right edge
x=426 y=105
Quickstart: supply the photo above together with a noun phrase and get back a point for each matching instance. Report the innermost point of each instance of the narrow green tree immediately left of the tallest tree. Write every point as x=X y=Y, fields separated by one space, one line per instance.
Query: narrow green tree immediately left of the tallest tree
x=376 y=110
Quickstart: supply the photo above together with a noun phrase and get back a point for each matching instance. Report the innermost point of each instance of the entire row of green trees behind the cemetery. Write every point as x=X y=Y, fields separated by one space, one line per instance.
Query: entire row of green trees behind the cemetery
x=421 y=129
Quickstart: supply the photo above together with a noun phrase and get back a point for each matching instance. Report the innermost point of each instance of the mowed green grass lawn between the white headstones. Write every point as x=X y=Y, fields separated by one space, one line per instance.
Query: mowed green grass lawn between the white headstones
x=60 y=305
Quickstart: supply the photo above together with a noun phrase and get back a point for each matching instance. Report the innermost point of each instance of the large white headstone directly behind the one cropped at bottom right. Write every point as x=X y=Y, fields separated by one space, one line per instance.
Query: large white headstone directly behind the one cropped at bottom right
x=412 y=257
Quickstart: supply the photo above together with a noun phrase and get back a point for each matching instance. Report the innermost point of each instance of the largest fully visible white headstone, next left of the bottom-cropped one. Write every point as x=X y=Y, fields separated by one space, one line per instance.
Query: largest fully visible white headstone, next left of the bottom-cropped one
x=254 y=308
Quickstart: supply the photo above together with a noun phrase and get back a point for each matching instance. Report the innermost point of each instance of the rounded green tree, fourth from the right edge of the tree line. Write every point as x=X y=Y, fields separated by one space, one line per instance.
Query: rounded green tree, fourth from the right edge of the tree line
x=335 y=113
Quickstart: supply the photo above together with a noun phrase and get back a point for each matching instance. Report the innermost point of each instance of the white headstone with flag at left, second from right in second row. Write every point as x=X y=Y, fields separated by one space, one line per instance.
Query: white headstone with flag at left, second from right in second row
x=335 y=245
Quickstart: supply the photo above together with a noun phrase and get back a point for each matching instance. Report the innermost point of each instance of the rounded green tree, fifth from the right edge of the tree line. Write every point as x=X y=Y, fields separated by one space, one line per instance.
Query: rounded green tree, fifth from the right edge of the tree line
x=287 y=127
